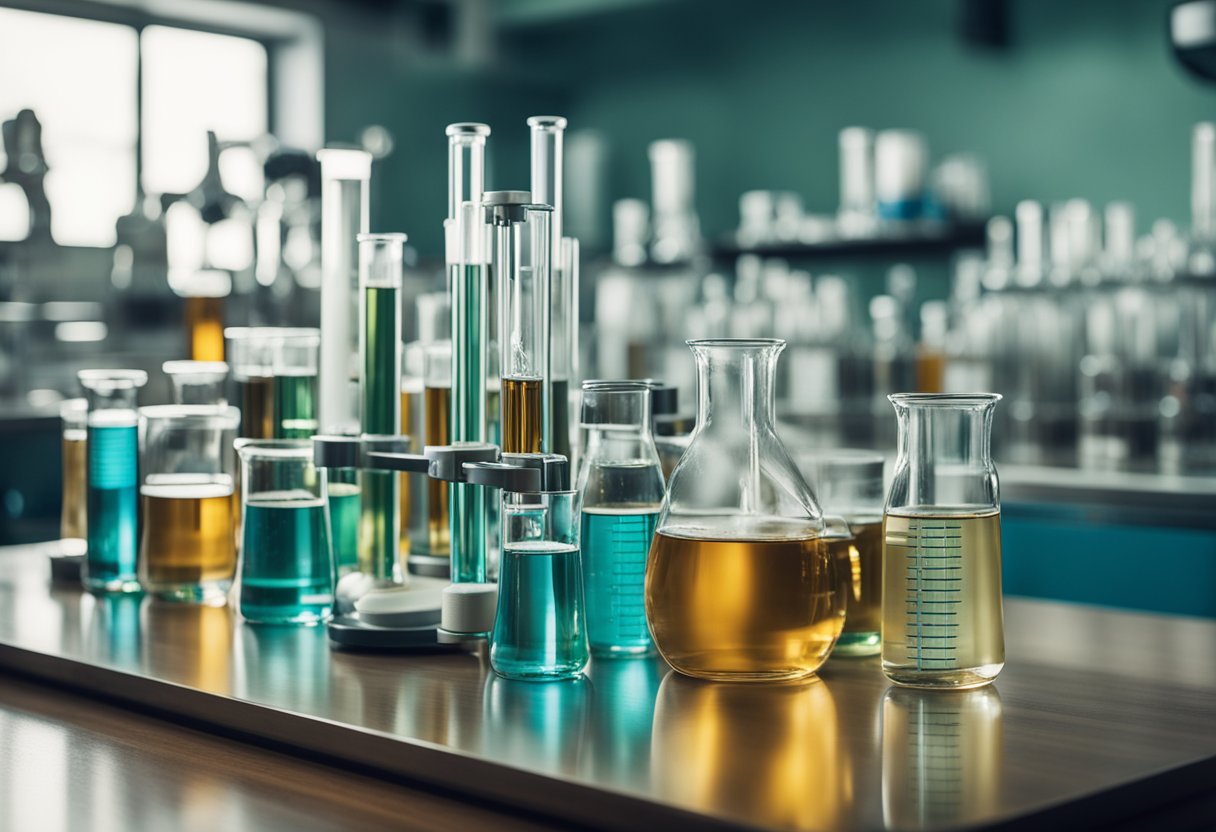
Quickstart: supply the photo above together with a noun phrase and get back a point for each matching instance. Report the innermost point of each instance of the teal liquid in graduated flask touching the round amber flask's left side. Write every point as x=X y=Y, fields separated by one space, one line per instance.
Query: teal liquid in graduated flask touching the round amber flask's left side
x=616 y=544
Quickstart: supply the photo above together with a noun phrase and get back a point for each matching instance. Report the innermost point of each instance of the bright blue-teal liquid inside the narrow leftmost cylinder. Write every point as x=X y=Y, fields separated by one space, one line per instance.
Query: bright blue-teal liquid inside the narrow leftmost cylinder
x=112 y=504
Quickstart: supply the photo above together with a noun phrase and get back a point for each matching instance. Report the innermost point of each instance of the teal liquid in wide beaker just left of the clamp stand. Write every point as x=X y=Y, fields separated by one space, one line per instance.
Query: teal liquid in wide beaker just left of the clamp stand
x=286 y=564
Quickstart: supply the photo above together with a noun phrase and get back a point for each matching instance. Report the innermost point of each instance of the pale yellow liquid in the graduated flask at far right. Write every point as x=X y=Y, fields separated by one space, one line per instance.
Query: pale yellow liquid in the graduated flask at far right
x=943 y=622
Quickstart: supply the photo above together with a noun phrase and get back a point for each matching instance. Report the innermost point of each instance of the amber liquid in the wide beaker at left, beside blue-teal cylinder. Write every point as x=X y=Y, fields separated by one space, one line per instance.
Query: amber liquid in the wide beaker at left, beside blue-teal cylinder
x=188 y=548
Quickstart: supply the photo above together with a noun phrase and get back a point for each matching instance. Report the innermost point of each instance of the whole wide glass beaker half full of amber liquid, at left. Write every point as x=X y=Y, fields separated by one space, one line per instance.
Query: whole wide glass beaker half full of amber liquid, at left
x=188 y=471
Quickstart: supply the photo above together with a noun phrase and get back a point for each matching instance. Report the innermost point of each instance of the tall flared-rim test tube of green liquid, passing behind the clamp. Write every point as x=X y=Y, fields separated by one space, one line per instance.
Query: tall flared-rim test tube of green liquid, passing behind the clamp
x=468 y=278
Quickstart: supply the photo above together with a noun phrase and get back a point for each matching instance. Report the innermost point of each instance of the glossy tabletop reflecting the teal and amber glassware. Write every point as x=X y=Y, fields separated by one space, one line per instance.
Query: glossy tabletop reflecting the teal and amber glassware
x=1100 y=716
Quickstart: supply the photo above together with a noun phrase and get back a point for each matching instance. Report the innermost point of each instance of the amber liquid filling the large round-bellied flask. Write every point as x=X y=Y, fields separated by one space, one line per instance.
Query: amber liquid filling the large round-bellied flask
x=742 y=610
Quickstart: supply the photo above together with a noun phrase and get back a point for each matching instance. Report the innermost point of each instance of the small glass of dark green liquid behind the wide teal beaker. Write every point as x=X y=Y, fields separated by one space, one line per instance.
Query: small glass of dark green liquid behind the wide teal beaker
x=294 y=367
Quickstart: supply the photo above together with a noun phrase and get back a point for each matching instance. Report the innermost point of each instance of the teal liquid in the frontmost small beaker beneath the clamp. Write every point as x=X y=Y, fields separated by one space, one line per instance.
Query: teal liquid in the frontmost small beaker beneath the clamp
x=542 y=636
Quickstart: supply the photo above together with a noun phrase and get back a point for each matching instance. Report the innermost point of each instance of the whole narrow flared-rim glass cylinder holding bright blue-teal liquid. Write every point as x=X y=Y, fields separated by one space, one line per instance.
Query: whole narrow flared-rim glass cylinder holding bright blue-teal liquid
x=112 y=480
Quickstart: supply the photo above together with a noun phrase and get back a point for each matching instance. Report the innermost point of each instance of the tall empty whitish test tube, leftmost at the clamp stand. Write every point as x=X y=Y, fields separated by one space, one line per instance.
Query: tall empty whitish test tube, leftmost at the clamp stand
x=345 y=206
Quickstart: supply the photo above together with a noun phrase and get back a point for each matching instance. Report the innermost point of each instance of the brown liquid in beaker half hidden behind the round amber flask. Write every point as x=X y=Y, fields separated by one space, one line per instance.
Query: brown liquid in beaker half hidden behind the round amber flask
x=859 y=563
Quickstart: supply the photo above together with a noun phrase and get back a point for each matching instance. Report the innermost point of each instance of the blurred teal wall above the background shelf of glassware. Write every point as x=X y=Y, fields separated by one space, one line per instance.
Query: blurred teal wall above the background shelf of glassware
x=1086 y=103
